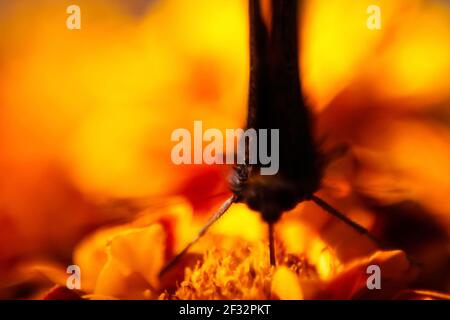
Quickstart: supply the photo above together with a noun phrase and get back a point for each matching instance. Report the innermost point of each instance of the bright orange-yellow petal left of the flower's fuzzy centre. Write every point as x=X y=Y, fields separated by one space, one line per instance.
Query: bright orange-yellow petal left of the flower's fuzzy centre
x=124 y=261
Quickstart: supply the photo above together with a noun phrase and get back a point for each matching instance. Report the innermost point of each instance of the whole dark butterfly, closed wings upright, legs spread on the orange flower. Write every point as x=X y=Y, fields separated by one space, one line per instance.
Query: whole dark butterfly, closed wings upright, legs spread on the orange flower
x=276 y=102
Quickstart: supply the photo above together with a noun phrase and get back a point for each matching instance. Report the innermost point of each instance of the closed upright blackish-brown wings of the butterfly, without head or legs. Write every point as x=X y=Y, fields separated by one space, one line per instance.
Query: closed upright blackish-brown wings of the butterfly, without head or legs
x=275 y=97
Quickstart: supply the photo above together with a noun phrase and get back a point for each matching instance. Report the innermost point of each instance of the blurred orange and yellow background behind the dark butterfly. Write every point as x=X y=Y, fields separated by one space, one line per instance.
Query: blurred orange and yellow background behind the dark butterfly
x=86 y=115
